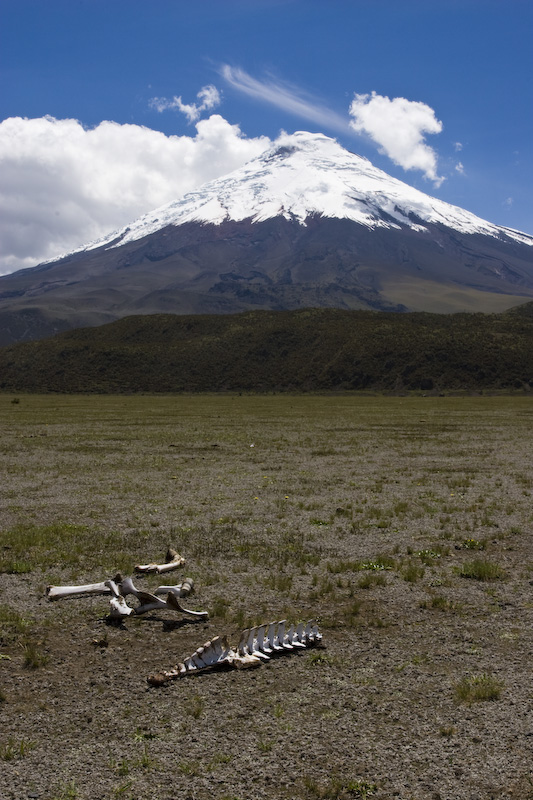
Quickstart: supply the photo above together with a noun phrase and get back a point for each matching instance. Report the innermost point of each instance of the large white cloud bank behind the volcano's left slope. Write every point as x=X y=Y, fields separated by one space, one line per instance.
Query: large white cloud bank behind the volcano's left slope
x=64 y=185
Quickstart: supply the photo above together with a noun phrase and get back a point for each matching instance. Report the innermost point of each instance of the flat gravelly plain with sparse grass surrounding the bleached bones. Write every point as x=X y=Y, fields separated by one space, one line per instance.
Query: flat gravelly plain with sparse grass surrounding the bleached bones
x=403 y=525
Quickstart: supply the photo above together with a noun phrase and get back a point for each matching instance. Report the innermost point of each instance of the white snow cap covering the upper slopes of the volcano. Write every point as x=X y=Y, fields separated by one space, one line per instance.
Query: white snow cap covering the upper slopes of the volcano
x=305 y=174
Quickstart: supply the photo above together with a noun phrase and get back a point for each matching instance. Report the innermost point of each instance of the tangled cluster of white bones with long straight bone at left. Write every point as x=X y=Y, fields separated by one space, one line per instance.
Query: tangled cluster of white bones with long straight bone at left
x=119 y=588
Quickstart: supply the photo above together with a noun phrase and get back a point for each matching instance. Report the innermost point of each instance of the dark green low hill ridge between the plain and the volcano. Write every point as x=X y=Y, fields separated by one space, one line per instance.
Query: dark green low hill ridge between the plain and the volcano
x=306 y=350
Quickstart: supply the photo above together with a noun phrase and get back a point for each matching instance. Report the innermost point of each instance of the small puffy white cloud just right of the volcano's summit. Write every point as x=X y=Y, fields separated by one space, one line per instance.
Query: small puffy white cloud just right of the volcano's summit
x=398 y=127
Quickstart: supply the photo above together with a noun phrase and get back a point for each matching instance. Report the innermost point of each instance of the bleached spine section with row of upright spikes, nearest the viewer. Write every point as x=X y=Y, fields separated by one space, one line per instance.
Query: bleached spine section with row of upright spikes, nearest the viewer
x=255 y=646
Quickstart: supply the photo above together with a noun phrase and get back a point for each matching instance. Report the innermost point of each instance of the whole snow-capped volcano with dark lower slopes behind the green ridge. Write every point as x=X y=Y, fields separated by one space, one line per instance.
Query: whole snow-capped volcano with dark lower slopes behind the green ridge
x=305 y=224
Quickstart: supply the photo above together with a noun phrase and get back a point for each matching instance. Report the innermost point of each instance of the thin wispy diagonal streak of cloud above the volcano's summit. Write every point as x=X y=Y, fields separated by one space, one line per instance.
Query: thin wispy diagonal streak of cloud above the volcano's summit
x=285 y=96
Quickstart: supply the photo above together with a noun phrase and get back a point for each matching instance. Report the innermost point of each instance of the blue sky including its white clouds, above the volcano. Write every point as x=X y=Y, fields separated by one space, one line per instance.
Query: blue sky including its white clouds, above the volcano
x=457 y=72
